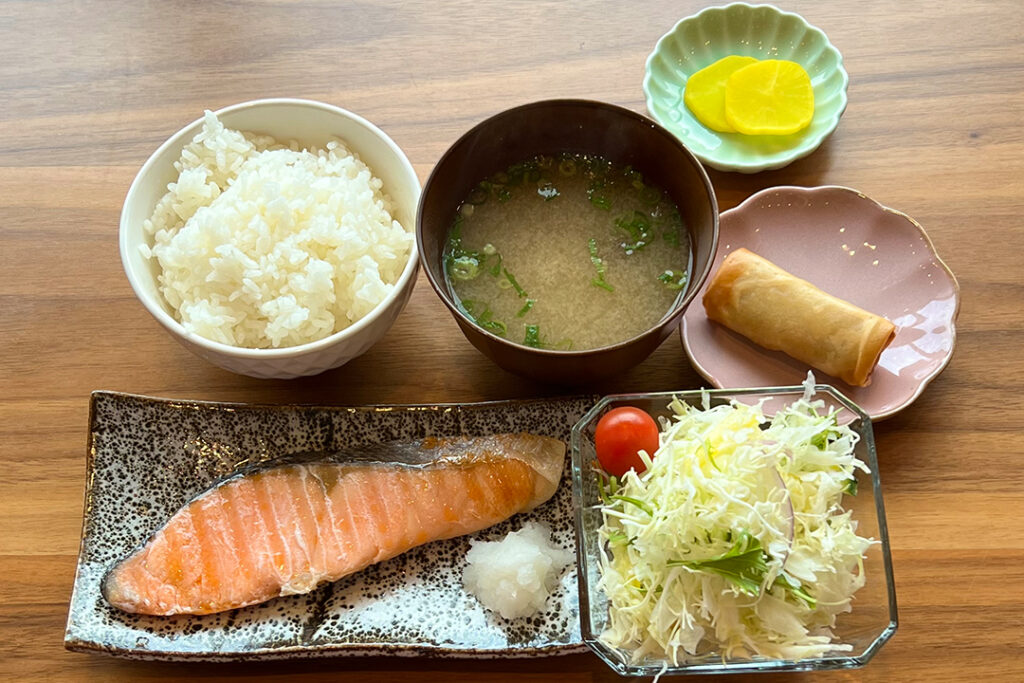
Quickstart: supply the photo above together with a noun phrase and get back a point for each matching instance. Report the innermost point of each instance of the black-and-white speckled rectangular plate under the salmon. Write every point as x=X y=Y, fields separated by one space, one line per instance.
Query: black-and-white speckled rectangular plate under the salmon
x=150 y=456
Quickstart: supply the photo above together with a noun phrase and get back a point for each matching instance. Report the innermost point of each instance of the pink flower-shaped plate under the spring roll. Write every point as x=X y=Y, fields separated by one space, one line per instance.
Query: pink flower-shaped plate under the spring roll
x=854 y=248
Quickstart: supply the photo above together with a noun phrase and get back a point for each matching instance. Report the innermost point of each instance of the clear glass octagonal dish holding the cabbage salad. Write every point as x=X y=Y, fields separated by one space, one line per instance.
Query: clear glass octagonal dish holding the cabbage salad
x=867 y=628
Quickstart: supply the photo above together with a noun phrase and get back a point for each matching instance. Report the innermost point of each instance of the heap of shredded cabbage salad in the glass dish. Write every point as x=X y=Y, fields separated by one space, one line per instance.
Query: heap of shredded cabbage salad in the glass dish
x=735 y=540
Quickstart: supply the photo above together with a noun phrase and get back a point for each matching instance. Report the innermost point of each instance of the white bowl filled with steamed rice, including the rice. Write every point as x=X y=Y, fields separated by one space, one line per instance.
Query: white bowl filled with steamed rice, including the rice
x=274 y=238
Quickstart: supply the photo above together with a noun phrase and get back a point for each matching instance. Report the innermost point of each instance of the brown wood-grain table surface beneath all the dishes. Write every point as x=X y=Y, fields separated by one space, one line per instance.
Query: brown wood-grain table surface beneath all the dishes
x=90 y=90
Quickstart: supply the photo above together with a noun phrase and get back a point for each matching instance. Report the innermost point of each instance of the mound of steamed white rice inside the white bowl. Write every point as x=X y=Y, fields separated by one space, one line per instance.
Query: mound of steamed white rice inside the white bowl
x=263 y=245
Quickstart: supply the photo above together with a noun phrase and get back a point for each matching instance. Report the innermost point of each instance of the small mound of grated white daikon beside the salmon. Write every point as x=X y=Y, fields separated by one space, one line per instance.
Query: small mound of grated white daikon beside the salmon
x=515 y=577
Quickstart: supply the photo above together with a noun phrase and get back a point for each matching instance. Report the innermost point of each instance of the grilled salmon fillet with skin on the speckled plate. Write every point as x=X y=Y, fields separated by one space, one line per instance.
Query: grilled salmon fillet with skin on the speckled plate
x=285 y=529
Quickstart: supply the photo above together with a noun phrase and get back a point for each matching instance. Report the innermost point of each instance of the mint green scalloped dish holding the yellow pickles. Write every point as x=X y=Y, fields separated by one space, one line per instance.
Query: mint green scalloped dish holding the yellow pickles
x=763 y=32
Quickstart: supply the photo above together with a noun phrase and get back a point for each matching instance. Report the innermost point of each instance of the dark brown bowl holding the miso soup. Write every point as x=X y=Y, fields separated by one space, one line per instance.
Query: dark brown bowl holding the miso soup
x=568 y=126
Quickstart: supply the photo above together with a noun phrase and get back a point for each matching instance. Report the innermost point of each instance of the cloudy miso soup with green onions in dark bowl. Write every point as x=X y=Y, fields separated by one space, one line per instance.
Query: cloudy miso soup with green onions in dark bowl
x=567 y=252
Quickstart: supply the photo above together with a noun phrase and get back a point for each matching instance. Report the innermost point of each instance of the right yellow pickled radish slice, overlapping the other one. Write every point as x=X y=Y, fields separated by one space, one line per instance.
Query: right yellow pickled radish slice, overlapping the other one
x=771 y=98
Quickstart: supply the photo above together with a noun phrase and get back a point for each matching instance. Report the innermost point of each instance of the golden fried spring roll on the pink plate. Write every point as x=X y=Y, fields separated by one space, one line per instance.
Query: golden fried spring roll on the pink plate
x=756 y=298
